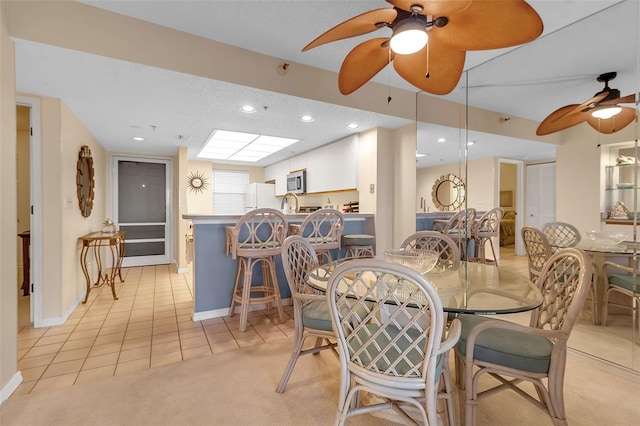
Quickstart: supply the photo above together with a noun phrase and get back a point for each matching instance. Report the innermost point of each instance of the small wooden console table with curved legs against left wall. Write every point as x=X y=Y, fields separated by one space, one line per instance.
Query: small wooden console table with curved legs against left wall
x=94 y=241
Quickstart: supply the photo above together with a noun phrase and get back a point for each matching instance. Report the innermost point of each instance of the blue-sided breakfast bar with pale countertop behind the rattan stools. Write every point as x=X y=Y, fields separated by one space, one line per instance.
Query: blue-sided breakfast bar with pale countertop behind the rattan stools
x=214 y=271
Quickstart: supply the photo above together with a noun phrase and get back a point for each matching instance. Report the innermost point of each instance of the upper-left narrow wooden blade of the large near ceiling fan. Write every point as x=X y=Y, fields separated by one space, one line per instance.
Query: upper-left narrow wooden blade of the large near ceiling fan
x=358 y=25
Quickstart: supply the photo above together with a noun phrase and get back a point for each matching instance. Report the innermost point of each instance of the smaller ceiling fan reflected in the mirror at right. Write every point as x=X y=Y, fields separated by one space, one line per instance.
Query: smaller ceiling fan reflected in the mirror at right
x=604 y=111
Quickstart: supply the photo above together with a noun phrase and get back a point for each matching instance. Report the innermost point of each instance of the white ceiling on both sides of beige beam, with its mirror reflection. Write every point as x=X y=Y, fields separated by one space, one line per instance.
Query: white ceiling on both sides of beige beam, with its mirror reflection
x=115 y=99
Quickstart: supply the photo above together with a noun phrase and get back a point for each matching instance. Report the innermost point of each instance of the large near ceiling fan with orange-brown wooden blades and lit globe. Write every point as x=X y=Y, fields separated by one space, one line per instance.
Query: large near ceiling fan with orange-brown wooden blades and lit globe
x=429 y=39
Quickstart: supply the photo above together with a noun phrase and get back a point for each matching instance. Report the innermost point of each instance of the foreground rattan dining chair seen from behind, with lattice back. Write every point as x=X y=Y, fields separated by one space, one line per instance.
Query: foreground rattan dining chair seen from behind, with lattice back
x=396 y=355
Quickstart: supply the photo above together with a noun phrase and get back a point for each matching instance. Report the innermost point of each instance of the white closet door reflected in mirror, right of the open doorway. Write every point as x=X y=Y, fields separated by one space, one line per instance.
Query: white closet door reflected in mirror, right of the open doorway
x=540 y=194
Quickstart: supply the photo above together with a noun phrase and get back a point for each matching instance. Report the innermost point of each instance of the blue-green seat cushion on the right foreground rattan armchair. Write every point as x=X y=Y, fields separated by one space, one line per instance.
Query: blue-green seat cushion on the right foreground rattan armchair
x=509 y=348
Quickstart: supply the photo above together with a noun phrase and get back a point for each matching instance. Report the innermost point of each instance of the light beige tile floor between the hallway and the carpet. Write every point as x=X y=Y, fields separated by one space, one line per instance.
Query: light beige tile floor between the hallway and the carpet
x=148 y=326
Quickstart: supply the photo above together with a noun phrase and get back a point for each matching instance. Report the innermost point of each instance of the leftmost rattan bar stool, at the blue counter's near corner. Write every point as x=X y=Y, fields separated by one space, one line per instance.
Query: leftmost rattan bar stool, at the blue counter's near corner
x=256 y=239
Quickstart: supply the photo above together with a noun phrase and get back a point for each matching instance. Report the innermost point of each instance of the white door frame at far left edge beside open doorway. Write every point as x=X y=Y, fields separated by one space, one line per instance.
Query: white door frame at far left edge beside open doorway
x=35 y=196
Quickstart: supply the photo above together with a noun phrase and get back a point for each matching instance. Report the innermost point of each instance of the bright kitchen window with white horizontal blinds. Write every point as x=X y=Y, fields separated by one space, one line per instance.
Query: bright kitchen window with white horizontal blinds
x=229 y=189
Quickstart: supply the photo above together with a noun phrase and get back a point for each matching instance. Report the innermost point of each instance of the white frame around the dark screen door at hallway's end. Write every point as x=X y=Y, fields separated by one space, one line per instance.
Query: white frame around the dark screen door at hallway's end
x=168 y=162
